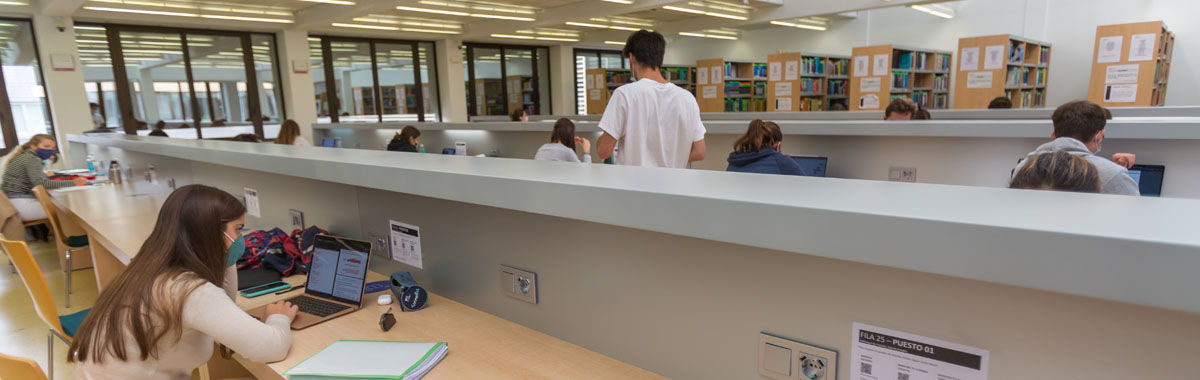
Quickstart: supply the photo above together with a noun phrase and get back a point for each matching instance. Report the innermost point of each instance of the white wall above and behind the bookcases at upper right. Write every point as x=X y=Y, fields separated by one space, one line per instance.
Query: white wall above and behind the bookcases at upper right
x=1070 y=26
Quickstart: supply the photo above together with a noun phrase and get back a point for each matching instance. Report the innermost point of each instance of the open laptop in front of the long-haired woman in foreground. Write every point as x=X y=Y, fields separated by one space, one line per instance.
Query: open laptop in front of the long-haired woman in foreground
x=337 y=280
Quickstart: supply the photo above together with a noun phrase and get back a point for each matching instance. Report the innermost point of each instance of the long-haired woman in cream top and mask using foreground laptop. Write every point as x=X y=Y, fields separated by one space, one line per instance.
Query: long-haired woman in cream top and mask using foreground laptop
x=160 y=317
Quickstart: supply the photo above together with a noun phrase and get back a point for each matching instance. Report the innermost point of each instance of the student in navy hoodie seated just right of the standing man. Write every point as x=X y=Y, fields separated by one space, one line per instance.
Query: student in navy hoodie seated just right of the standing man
x=758 y=152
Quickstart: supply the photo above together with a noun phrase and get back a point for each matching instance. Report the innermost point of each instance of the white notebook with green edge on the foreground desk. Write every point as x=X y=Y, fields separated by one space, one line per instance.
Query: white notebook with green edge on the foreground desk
x=370 y=360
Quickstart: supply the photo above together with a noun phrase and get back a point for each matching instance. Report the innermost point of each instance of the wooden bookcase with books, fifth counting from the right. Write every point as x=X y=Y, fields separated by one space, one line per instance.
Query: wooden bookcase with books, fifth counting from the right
x=731 y=86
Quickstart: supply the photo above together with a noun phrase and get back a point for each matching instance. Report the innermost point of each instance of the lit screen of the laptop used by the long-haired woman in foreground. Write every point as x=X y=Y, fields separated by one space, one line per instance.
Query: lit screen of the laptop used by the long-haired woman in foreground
x=339 y=269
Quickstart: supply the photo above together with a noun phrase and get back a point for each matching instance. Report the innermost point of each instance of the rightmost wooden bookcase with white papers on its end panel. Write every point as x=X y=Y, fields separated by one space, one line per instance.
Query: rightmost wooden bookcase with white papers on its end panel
x=1123 y=62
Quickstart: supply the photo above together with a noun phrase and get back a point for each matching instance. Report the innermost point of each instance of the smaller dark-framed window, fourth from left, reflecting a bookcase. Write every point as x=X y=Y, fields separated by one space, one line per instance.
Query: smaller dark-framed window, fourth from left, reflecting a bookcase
x=502 y=80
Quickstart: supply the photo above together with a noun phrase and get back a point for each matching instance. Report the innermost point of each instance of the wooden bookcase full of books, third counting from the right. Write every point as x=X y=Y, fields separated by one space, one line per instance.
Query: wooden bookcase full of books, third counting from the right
x=883 y=74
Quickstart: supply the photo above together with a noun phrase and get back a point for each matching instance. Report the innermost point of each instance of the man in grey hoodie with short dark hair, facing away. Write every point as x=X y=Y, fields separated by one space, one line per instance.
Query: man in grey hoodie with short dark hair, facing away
x=1079 y=130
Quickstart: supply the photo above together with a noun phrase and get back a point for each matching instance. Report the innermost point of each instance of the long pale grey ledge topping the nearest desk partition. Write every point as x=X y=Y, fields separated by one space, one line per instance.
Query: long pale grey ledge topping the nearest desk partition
x=1144 y=251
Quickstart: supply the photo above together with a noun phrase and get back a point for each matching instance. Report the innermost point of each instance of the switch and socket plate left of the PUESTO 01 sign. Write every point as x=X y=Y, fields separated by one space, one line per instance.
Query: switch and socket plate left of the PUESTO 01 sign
x=805 y=361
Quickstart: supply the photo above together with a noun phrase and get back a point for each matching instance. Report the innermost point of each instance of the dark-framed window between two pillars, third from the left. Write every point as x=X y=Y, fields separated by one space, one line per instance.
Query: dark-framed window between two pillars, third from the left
x=374 y=81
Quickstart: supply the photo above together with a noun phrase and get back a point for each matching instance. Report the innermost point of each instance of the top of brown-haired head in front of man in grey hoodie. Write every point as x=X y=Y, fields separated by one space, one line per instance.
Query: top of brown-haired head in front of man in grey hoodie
x=1059 y=172
